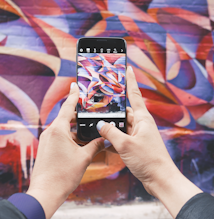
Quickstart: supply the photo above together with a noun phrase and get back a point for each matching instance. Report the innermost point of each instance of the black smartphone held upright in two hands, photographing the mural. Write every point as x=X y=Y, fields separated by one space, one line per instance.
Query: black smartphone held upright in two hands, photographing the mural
x=101 y=77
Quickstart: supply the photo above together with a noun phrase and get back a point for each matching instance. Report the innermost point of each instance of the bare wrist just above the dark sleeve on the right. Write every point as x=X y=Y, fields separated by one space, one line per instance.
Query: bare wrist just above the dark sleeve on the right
x=172 y=188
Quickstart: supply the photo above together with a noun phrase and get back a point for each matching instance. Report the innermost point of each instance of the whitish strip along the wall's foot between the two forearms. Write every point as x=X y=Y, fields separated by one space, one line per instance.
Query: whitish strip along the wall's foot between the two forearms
x=151 y=210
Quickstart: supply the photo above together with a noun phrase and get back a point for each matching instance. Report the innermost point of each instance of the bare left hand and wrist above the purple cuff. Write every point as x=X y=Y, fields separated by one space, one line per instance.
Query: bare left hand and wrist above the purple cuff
x=61 y=162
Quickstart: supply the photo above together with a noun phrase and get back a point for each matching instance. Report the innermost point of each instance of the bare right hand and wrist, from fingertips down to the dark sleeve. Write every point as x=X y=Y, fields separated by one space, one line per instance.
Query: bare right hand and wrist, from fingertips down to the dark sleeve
x=144 y=153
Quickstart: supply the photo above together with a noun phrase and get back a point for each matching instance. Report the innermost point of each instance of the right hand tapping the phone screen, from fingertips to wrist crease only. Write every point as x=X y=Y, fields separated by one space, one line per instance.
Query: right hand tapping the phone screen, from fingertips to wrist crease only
x=143 y=150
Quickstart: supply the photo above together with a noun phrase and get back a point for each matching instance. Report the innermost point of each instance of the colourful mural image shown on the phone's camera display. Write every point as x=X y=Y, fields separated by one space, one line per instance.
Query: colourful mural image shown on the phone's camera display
x=101 y=79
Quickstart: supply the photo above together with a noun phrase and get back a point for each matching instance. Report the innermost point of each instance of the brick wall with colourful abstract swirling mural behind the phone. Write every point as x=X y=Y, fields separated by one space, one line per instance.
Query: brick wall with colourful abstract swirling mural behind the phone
x=170 y=47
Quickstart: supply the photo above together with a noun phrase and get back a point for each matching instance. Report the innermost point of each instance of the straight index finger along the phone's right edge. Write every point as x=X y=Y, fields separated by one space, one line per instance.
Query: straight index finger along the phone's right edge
x=135 y=96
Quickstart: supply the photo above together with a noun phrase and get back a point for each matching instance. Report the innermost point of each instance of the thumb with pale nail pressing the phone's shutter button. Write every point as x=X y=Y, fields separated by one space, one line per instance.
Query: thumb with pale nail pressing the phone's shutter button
x=112 y=134
